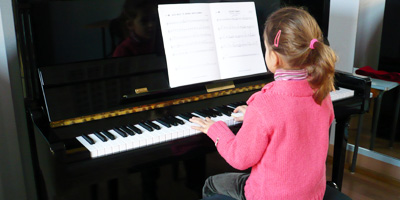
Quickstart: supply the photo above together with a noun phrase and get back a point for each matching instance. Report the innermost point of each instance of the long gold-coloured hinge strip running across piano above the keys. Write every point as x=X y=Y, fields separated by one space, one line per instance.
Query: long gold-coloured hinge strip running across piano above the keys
x=142 y=108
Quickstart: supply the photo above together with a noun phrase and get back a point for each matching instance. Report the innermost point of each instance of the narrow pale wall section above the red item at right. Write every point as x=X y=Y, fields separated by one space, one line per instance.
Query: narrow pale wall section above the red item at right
x=369 y=32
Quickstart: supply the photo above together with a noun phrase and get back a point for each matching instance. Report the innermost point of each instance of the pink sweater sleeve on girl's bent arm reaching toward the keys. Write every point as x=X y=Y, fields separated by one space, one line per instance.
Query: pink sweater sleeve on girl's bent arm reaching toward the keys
x=246 y=148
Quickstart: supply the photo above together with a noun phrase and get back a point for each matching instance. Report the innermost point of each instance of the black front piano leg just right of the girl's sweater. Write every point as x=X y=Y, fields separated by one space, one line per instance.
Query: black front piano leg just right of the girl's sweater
x=339 y=153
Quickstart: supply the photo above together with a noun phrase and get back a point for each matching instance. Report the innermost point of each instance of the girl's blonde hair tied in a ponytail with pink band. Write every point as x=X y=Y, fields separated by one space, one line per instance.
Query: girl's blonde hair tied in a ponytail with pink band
x=298 y=28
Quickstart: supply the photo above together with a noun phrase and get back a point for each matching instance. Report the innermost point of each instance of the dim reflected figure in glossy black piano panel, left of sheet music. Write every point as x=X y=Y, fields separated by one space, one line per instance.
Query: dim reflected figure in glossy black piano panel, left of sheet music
x=137 y=26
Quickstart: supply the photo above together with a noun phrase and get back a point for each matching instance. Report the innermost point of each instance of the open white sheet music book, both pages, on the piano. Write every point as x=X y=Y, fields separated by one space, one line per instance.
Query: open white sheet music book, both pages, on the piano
x=210 y=41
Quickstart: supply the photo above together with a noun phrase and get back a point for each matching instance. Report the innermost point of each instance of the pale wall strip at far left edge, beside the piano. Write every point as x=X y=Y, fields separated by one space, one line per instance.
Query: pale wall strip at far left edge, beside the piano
x=16 y=173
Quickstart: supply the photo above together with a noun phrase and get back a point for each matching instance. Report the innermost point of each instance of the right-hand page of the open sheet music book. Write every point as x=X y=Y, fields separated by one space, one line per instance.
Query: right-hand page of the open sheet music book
x=237 y=39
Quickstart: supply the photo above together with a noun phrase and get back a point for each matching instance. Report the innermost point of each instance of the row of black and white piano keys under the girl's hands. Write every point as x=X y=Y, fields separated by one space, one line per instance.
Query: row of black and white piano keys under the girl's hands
x=129 y=137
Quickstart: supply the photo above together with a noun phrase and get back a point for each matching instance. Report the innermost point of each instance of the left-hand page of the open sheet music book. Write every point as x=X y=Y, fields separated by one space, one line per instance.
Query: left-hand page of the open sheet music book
x=189 y=43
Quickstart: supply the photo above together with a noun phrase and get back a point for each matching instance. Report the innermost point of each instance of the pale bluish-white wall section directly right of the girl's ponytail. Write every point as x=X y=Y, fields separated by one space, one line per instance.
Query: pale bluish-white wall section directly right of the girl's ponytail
x=343 y=18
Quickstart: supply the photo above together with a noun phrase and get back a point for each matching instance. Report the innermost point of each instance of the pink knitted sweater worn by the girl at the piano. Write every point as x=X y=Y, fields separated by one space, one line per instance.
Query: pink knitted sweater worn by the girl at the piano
x=284 y=139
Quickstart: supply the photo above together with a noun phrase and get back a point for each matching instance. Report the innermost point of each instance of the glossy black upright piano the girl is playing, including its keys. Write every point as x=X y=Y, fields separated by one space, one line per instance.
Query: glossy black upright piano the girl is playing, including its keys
x=75 y=101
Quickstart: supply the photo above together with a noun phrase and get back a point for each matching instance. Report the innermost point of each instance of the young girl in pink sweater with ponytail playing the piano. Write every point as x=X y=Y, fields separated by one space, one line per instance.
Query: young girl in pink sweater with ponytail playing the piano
x=285 y=130
